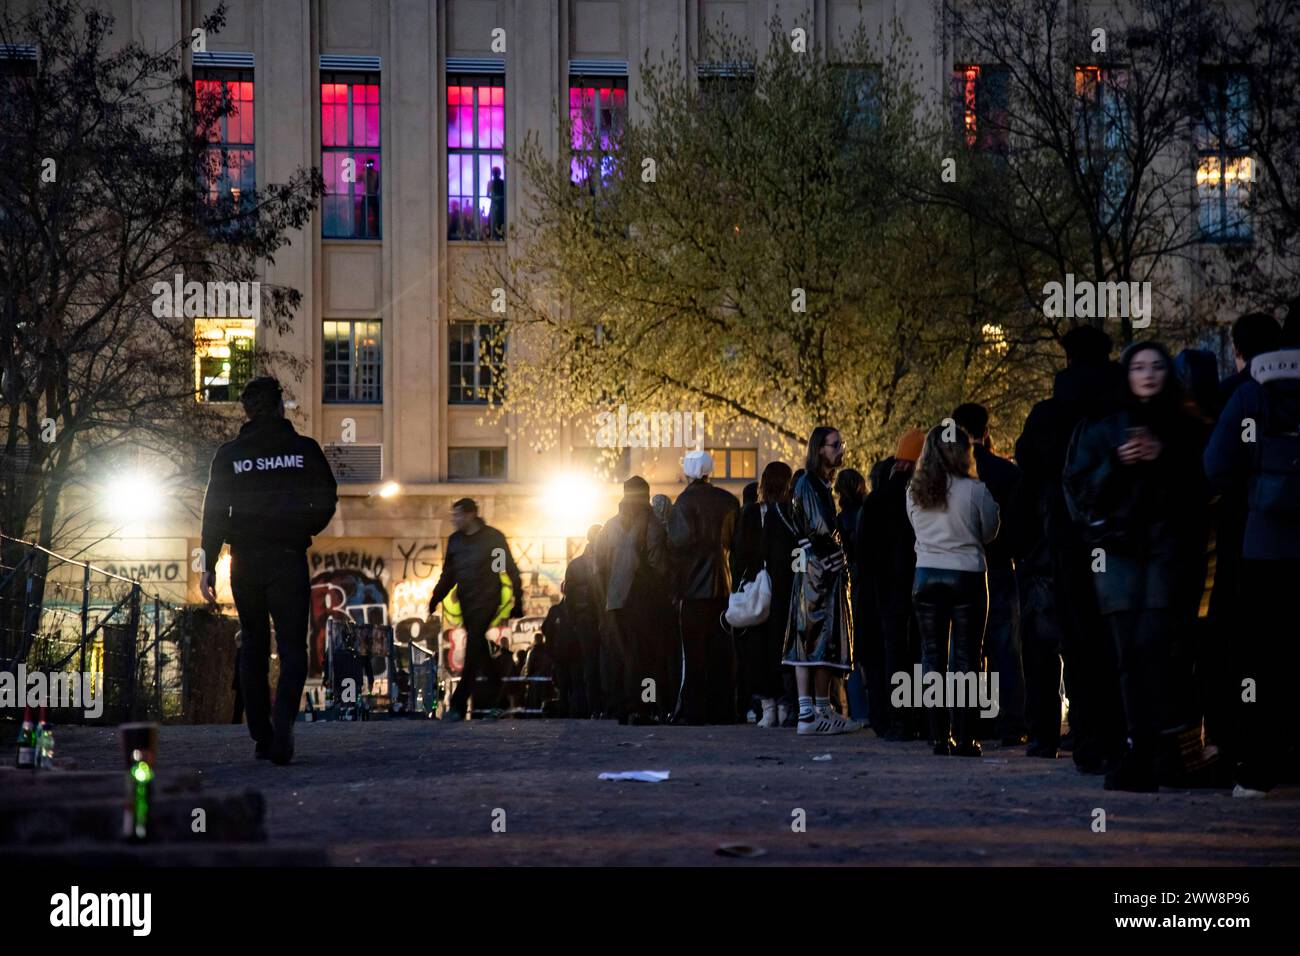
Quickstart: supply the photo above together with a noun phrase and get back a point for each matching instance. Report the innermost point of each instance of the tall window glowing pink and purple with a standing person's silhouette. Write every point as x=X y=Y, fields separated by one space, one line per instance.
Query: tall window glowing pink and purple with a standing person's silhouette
x=476 y=158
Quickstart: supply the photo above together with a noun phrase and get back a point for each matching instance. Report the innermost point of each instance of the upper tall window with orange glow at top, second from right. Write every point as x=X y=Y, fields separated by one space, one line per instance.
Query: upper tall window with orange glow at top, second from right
x=1103 y=126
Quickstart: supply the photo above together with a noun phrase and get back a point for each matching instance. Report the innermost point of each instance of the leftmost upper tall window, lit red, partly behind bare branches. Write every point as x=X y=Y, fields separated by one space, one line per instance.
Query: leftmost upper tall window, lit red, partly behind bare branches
x=229 y=171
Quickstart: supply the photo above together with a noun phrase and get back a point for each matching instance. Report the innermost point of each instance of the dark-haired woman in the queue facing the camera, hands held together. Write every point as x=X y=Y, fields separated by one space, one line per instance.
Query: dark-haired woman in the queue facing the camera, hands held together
x=1136 y=487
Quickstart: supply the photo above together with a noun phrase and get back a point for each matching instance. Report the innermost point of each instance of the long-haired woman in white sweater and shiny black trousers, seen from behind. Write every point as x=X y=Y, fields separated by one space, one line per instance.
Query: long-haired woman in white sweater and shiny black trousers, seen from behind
x=955 y=517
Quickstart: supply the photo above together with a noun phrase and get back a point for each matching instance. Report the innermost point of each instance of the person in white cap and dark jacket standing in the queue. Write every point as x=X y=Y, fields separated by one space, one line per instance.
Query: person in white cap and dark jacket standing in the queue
x=700 y=533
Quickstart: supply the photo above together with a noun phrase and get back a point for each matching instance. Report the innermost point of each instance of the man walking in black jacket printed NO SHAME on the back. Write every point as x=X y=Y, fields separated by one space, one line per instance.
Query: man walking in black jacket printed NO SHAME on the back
x=270 y=492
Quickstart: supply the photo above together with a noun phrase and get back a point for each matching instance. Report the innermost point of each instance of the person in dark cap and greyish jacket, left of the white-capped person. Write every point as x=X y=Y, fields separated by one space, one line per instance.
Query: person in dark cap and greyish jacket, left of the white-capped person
x=631 y=559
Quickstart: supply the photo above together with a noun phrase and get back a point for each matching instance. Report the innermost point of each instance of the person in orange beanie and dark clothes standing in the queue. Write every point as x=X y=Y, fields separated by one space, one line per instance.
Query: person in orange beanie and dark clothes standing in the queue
x=887 y=563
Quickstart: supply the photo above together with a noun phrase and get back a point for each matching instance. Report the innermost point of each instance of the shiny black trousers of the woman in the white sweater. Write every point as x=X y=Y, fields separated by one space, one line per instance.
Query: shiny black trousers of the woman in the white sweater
x=952 y=609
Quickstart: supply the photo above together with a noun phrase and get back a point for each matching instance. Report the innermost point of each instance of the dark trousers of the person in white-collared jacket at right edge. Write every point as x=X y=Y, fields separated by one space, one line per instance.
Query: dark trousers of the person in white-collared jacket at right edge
x=1269 y=657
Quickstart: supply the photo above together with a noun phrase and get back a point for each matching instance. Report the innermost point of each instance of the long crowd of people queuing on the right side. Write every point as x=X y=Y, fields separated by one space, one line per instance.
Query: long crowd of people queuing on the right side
x=1134 y=556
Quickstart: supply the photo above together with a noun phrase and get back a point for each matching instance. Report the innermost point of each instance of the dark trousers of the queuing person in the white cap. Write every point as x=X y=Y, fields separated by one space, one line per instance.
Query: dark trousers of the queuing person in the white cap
x=709 y=664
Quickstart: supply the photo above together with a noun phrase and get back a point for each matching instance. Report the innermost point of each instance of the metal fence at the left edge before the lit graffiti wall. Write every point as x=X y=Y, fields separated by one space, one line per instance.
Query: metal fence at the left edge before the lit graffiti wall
x=68 y=618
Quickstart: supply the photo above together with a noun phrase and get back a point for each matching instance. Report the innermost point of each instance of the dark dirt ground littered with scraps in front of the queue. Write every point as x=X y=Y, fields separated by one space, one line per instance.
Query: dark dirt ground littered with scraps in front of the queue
x=426 y=793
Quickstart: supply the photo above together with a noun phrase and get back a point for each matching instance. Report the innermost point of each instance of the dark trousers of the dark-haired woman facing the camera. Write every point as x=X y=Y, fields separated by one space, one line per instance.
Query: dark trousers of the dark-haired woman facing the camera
x=1143 y=657
